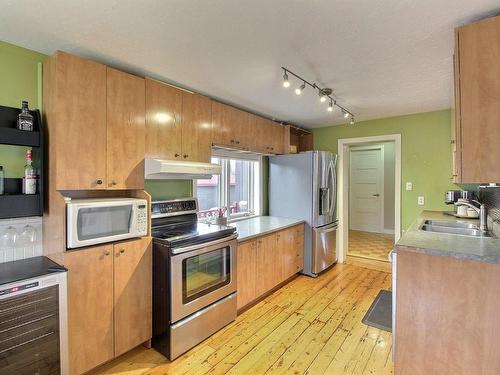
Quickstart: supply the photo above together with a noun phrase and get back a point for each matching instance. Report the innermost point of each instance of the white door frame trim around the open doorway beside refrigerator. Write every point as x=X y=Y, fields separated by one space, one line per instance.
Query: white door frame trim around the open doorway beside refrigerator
x=343 y=187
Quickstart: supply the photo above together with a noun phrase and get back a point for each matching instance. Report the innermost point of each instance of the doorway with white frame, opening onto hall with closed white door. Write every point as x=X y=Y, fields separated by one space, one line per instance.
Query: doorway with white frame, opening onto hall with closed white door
x=369 y=196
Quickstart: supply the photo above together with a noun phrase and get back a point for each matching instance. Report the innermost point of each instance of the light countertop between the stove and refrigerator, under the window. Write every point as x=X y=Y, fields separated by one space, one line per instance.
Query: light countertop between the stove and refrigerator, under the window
x=258 y=226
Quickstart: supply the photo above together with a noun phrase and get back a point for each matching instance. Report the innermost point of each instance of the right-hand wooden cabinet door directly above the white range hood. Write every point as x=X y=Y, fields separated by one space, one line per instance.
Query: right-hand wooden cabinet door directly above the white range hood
x=196 y=127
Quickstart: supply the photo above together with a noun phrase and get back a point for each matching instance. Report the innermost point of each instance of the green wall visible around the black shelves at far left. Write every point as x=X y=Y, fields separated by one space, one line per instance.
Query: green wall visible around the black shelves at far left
x=20 y=79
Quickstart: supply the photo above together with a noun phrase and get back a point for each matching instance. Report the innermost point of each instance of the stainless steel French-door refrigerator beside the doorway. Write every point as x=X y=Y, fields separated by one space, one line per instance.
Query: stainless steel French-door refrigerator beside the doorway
x=304 y=186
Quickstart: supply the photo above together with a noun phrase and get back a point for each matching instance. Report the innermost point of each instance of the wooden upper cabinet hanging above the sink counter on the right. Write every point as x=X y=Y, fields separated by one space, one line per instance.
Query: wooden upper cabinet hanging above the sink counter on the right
x=477 y=109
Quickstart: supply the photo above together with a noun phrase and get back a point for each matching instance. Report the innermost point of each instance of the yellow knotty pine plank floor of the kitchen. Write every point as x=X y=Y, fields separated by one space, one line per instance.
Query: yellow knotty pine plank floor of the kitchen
x=310 y=326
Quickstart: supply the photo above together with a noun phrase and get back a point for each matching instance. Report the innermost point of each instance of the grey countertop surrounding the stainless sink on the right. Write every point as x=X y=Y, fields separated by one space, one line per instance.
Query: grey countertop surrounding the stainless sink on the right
x=486 y=249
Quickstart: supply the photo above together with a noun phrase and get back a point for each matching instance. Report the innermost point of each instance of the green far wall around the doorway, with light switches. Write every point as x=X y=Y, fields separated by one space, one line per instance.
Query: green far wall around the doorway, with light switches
x=425 y=155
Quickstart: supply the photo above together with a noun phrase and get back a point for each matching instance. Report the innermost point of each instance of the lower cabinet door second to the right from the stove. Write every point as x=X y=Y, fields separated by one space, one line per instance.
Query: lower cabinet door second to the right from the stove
x=268 y=266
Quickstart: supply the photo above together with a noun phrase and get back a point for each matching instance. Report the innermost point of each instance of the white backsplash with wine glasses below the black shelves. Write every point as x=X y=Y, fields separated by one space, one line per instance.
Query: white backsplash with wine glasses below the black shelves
x=20 y=238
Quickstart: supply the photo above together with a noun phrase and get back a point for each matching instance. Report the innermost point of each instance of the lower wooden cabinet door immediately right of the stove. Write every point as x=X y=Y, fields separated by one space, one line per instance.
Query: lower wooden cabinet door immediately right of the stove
x=246 y=270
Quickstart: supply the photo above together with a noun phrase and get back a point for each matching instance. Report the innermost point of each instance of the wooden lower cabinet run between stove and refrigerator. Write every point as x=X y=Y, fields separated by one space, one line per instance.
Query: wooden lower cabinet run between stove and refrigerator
x=265 y=262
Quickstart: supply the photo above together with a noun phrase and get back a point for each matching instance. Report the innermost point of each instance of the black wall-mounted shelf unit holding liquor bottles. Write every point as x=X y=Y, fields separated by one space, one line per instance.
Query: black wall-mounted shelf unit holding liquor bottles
x=13 y=203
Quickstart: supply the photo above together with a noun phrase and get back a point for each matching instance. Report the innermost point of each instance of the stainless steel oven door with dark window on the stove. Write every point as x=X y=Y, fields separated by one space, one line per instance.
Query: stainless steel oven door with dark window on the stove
x=201 y=275
